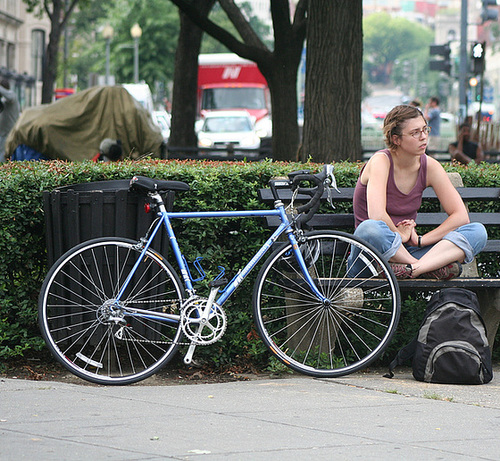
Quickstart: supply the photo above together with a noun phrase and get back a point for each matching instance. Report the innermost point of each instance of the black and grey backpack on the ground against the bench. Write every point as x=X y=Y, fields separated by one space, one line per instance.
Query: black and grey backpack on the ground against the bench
x=451 y=346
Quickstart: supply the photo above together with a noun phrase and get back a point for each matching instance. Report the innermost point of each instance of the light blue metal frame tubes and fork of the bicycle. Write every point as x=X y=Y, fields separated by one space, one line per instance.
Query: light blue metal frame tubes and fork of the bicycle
x=285 y=226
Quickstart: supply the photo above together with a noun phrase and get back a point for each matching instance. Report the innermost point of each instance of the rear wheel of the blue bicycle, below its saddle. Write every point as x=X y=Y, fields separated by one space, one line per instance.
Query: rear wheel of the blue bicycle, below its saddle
x=94 y=335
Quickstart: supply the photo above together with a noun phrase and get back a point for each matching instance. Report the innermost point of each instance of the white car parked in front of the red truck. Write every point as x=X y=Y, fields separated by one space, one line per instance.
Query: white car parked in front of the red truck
x=227 y=132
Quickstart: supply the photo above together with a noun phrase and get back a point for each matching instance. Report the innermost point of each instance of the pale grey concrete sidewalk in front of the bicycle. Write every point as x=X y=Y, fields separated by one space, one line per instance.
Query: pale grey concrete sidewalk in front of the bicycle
x=362 y=416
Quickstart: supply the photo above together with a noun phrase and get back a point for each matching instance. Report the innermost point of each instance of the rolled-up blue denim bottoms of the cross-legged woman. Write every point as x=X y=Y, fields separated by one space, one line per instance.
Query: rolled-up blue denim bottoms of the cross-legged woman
x=470 y=238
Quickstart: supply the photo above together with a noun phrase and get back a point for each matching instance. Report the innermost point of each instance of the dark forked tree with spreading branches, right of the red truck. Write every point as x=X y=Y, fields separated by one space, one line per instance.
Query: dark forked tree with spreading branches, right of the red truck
x=278 y=66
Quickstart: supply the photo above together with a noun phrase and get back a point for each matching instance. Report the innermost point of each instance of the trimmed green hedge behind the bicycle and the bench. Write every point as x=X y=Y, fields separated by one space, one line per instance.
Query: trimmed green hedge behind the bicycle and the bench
x=227 y=242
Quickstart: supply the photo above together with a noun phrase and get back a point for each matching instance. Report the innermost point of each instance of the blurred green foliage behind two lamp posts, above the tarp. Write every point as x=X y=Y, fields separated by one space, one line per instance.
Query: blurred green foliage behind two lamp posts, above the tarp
x=157 y=44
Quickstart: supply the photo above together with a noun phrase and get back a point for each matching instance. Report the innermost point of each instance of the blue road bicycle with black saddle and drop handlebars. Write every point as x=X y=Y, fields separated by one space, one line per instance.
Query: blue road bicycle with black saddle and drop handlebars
x=114 y=311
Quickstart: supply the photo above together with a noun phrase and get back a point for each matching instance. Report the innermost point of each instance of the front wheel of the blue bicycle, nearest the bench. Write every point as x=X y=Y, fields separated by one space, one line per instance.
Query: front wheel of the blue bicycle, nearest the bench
x=346 y=332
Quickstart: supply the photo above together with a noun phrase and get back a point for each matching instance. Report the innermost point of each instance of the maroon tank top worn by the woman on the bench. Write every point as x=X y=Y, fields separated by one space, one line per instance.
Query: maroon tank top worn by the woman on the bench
x=399 y=206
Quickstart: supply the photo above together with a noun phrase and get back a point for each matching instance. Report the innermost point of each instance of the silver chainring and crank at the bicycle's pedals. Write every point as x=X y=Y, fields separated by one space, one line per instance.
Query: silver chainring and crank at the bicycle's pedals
x=203 y=331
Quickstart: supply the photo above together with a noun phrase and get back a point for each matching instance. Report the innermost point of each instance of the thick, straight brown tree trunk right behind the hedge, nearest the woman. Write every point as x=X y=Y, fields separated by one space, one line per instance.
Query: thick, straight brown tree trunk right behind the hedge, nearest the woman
x=332 y=107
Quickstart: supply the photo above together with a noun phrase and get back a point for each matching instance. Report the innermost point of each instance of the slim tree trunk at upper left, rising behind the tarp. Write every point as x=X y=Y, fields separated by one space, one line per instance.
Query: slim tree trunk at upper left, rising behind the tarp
x=59 y=12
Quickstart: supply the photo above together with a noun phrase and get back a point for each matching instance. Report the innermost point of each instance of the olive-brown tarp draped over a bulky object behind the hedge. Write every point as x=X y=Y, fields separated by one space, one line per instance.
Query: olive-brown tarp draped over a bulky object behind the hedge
x=73 y=127
